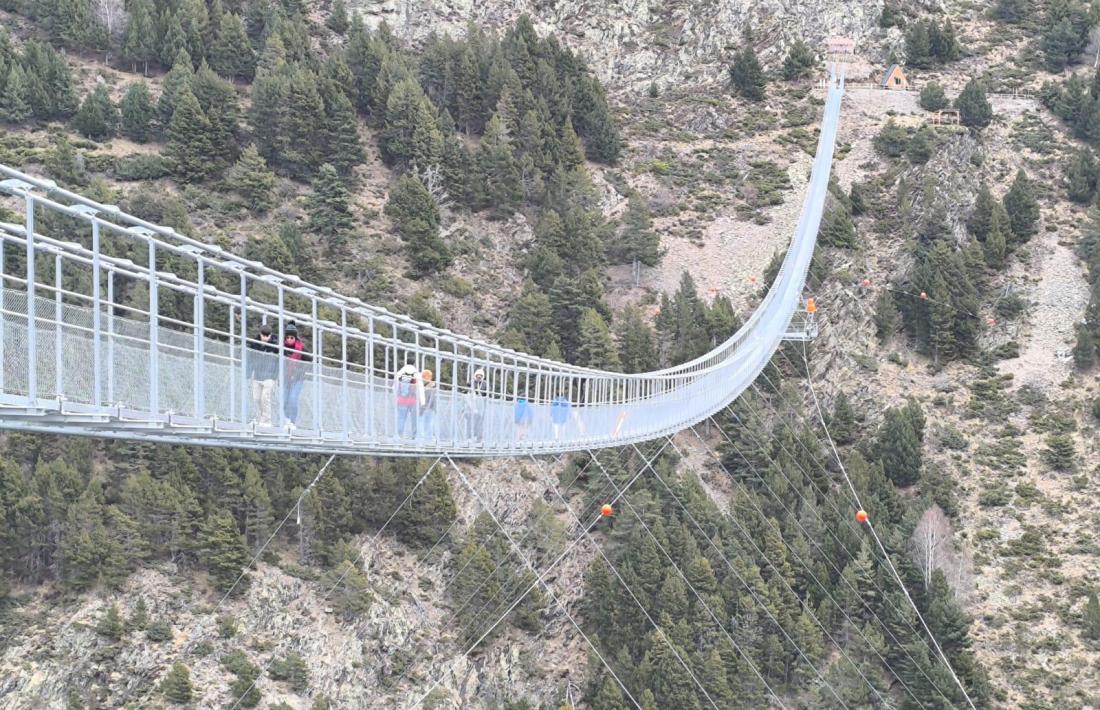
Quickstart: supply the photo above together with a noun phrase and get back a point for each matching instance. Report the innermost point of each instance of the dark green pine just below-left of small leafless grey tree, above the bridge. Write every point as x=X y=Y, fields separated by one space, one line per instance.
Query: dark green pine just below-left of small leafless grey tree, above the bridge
x=417 y=221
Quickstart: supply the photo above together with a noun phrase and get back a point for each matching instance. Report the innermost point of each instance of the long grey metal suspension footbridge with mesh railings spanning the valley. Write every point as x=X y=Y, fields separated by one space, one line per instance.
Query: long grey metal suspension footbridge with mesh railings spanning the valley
x=89 y=293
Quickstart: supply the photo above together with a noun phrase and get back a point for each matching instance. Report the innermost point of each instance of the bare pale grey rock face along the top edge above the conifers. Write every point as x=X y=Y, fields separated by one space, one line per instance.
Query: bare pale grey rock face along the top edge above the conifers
x=632 y=43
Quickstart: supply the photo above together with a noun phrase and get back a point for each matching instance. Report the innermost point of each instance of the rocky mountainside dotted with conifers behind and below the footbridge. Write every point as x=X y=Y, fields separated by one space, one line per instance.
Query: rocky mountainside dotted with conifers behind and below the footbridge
x=901 y=510
